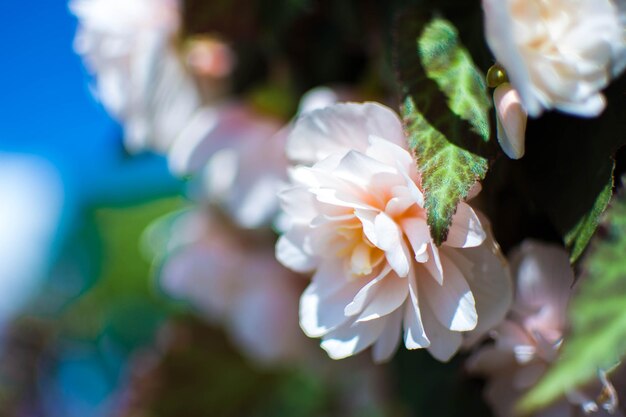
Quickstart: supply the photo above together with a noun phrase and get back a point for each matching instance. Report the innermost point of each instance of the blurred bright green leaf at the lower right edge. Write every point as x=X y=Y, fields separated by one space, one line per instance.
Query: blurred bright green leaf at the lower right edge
x=597 y=314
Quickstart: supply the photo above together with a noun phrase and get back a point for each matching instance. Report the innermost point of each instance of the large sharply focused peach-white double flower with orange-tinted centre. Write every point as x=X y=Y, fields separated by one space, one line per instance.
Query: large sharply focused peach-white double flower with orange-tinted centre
x=356 y=218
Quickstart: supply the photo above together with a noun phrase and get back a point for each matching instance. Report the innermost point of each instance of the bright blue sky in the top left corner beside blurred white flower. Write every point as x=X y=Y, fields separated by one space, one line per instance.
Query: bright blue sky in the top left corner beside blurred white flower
x=46 y=108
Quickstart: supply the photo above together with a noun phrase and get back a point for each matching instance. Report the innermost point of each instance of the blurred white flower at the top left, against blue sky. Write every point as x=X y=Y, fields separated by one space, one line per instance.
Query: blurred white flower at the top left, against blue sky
x=140 y=77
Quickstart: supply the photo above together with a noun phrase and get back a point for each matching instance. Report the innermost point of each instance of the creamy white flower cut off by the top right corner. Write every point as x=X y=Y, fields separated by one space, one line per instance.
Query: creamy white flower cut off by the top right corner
x=558 y=54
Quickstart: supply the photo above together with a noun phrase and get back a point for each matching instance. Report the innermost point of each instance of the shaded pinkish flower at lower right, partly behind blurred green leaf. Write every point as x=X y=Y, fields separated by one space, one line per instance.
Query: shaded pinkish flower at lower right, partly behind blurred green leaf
x=530 y=338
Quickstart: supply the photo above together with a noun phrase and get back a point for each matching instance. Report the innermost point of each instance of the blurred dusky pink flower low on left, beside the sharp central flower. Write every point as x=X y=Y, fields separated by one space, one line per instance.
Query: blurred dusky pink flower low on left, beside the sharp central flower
x=232 y=280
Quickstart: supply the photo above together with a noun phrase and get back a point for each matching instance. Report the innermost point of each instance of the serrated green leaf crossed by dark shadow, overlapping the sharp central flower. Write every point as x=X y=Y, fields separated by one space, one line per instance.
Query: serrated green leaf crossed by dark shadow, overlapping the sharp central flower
x=446 y=111
